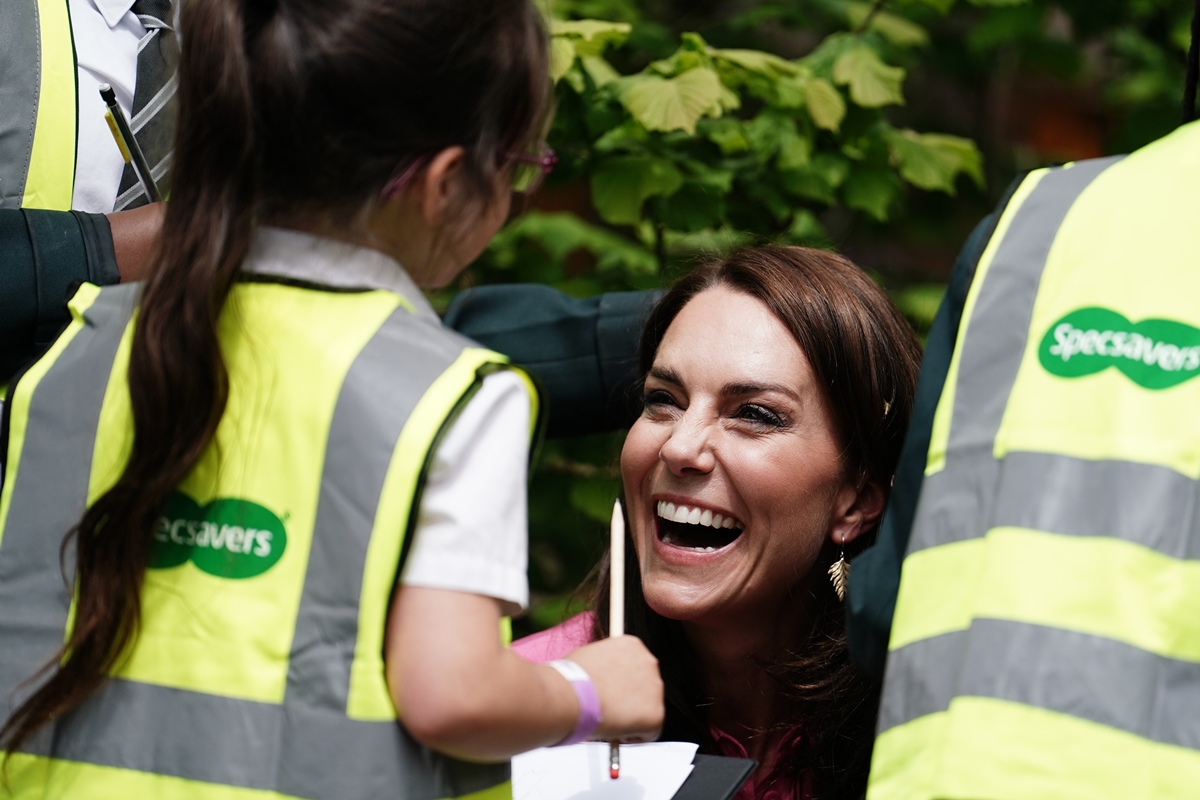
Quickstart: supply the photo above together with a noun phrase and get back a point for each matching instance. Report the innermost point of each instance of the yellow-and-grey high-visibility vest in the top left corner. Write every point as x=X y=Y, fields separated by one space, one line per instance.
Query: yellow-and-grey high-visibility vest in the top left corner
x=38 y=116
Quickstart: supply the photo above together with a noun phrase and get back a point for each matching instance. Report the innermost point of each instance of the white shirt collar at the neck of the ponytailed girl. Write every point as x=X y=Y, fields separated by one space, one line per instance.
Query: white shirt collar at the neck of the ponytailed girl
x=328 y=262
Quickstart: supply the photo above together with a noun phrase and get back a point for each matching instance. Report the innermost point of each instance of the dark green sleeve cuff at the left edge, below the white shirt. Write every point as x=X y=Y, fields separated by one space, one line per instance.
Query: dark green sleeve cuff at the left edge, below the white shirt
x=44 y=257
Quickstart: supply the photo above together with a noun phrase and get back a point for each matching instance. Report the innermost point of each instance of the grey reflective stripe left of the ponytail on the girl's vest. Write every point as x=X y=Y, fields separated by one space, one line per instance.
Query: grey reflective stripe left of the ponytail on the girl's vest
x=55 y=465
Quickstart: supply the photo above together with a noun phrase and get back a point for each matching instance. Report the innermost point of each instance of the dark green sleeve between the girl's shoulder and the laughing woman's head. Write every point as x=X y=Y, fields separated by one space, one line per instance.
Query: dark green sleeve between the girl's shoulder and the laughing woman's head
x=583 y=352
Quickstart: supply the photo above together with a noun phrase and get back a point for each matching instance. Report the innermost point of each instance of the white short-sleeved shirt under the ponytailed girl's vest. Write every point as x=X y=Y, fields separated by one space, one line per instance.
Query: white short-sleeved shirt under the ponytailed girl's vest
x=472 y=526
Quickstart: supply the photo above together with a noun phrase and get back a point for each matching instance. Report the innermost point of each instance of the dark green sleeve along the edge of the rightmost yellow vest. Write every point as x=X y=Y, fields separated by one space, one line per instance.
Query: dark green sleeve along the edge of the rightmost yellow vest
x=875 y=578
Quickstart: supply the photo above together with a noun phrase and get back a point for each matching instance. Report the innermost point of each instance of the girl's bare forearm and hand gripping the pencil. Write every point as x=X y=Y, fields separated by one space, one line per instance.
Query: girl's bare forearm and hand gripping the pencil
x=460 y=691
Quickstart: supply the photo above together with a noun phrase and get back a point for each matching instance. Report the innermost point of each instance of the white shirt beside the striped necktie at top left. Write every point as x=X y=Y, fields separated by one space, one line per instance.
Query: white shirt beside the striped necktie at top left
x=106 y=37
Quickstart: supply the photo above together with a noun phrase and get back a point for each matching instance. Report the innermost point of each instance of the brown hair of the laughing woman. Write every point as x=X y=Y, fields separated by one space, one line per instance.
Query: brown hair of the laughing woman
x=866 y=356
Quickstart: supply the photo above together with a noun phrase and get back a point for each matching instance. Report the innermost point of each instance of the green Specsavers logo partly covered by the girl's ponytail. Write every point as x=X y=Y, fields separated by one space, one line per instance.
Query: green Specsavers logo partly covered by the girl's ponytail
x=229 y=538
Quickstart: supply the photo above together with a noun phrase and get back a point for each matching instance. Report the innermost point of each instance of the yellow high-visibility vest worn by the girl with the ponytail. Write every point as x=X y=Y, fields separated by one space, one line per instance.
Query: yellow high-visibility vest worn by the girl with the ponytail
x=259 y=670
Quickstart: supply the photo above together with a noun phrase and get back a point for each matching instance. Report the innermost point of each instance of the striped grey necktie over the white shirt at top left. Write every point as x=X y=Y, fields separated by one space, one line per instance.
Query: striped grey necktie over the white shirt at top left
x=154 y=95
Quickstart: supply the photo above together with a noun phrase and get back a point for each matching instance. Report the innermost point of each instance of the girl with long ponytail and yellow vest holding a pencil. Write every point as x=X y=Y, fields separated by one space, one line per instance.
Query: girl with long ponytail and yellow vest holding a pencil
x=296 y=503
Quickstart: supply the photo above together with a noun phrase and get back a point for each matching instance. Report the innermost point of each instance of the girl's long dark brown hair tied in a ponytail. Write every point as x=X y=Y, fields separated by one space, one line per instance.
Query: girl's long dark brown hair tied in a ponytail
x=289 y=110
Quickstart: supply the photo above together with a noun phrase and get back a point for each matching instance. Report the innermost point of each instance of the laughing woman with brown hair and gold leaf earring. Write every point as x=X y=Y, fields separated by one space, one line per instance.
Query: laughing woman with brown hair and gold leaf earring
x=778 y=390
